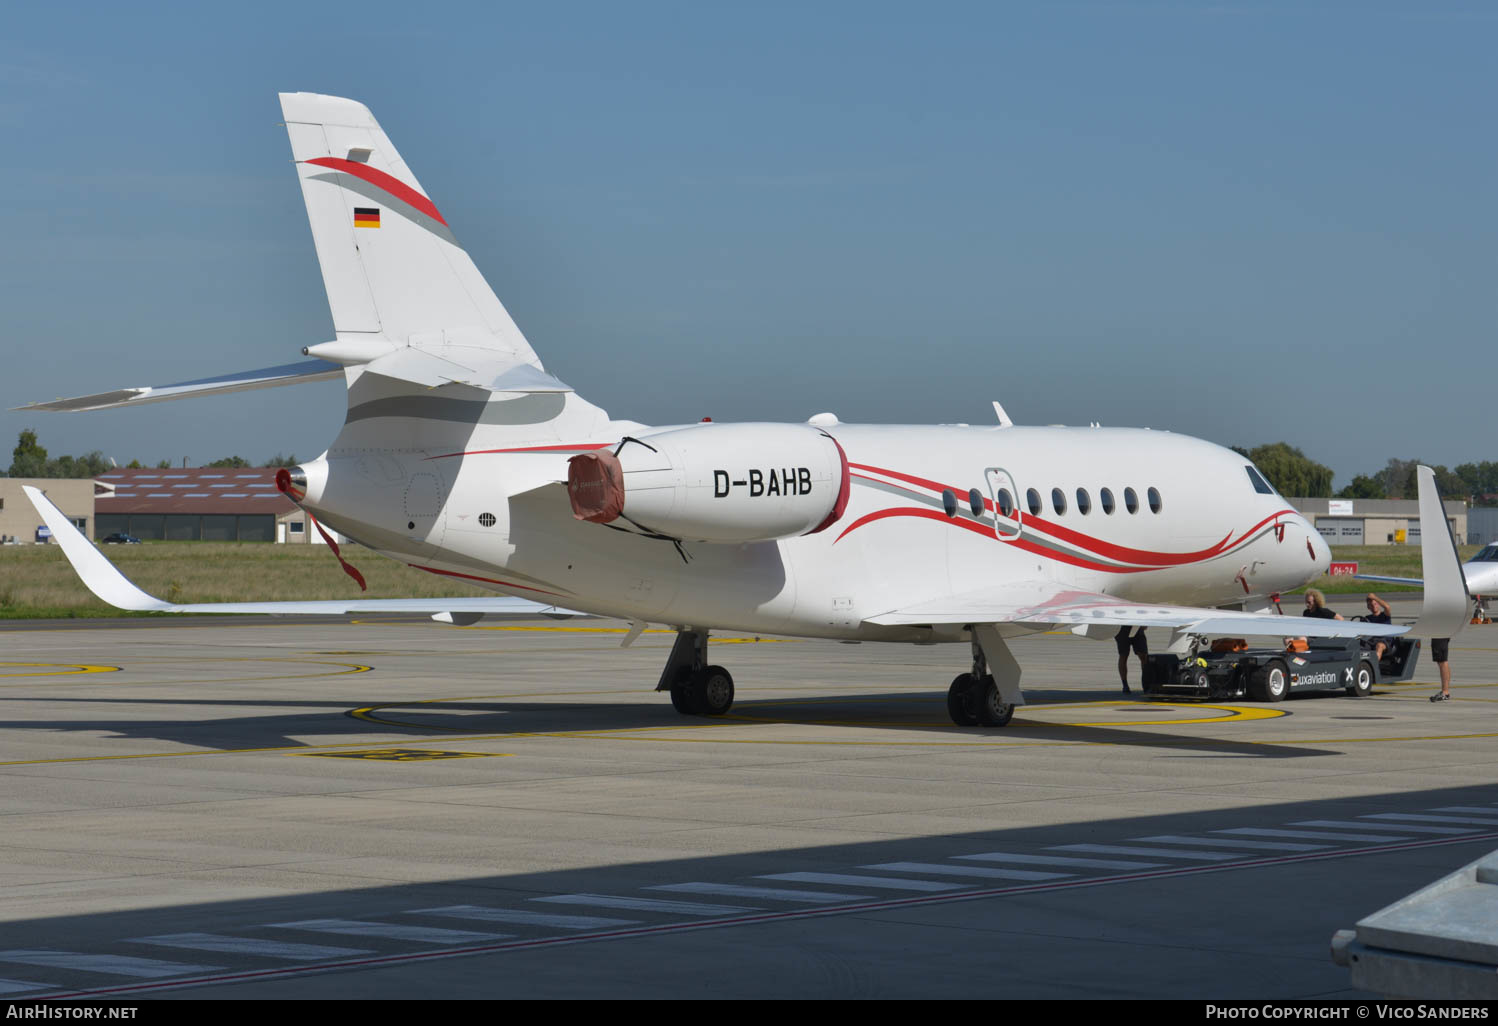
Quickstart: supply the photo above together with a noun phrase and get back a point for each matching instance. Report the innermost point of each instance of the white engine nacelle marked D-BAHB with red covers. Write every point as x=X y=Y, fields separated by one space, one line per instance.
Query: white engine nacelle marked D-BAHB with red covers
x=715 y=483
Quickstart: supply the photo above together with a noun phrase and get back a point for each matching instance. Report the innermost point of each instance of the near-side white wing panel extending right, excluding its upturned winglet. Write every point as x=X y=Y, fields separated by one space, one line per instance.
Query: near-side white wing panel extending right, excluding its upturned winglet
x=1048 y=604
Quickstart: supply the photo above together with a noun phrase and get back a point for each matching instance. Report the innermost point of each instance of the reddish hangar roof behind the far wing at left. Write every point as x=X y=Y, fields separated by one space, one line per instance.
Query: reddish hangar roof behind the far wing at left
x=191 y=491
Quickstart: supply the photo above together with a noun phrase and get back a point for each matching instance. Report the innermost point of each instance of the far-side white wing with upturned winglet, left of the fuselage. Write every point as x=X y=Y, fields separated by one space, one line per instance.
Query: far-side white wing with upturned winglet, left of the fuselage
x=106 y=580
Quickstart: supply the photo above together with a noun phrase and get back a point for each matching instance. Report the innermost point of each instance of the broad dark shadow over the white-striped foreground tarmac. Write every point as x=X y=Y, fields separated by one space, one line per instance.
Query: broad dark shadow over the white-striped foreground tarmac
x=1258 y=929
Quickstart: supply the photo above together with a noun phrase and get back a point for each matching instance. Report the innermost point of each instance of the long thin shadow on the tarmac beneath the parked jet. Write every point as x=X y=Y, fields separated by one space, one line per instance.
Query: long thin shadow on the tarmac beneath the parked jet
x=910 y=714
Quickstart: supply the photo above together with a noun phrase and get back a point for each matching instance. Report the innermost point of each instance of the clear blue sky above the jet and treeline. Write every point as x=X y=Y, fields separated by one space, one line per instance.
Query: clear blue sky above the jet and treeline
x=1247 y=221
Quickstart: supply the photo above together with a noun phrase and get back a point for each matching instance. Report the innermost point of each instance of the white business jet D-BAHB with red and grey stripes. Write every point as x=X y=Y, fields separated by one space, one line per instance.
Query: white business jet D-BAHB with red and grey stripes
x=464 y=458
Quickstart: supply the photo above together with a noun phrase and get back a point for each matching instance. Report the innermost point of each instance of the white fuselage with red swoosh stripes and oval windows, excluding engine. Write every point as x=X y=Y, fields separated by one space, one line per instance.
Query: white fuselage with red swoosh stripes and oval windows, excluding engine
x=498 y=516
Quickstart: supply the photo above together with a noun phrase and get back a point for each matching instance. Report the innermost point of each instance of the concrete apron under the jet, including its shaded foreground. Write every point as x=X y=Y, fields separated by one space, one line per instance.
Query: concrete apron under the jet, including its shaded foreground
x=405 y=810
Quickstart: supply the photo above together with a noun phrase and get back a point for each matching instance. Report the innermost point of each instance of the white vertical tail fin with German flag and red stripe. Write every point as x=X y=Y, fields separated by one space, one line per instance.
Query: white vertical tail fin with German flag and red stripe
x=395 y=272
